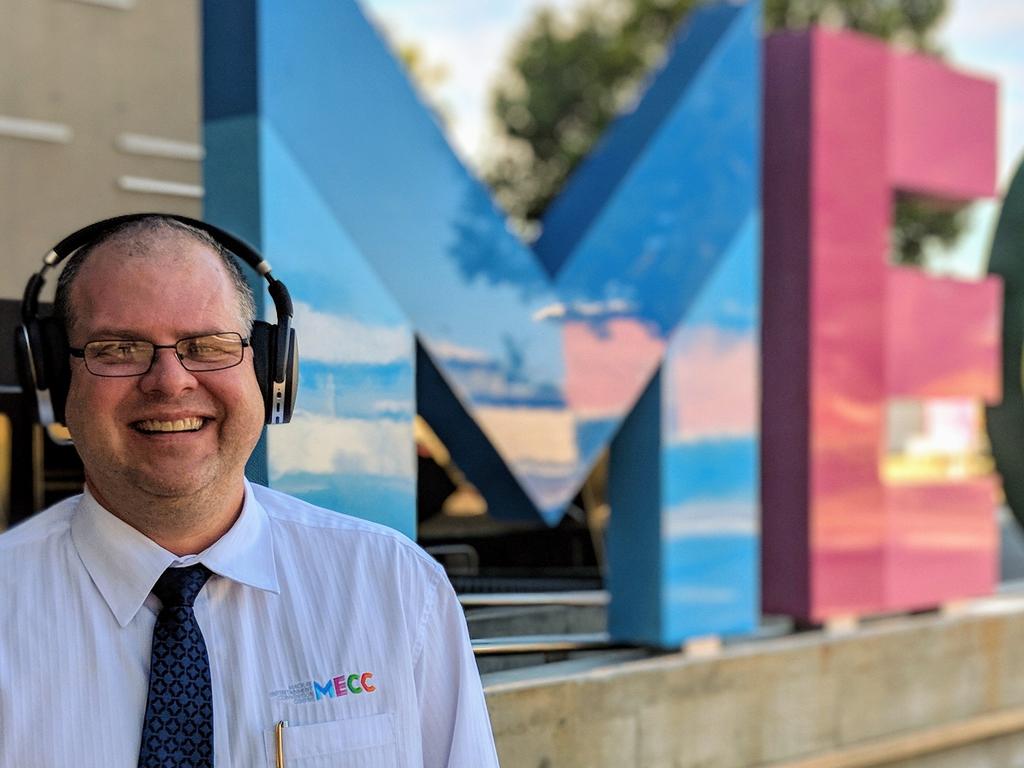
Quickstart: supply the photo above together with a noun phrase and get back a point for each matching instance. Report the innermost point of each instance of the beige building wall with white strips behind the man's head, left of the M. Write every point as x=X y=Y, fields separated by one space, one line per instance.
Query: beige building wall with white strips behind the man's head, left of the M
x=100 y=115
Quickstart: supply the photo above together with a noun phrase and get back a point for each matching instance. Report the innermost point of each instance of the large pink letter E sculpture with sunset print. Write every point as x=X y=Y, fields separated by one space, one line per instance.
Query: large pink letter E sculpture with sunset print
x=849 y=123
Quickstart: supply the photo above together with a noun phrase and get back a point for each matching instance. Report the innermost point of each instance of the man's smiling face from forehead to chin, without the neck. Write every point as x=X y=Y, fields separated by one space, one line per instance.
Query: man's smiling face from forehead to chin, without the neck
x=177 y=290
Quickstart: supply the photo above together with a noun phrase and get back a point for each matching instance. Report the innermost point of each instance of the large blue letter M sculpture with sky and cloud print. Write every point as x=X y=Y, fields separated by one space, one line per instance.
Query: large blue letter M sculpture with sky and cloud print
x=526 y=377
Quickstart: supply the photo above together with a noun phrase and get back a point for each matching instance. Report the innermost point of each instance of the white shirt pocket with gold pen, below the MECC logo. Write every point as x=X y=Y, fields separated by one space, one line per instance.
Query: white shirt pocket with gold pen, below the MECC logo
x=357 y=743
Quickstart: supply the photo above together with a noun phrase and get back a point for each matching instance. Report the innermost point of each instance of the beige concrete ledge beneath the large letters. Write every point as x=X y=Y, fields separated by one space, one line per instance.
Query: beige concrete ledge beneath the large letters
x=890 y=682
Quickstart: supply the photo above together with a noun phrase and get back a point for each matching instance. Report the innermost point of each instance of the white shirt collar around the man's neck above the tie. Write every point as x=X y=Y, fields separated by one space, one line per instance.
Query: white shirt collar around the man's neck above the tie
x=125 y=565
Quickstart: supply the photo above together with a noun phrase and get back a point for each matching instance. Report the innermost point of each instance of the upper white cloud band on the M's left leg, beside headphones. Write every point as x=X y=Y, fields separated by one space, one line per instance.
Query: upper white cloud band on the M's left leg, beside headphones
x=332 y=338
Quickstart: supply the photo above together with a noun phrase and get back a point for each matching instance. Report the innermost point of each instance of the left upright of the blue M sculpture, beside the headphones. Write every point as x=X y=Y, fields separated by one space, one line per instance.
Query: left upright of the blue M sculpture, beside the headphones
x=350 y=446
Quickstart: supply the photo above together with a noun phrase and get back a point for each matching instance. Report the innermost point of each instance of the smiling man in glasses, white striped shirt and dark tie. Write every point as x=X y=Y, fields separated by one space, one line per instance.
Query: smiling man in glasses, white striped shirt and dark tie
x=334 y=641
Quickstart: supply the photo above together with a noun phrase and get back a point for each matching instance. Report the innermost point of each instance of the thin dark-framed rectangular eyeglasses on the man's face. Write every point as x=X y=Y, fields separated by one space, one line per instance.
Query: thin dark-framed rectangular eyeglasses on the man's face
x=135 y=358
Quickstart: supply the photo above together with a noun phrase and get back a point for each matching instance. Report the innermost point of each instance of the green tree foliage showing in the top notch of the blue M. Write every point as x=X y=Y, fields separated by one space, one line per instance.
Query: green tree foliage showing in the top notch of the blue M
x=568 y=80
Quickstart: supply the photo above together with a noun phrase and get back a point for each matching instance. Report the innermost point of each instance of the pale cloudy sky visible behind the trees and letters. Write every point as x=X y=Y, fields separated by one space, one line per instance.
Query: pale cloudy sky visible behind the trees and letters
x=471 y=39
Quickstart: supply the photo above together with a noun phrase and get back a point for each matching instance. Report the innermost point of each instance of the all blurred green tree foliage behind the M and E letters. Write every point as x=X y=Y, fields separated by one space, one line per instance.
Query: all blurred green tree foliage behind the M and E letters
x=569 y=77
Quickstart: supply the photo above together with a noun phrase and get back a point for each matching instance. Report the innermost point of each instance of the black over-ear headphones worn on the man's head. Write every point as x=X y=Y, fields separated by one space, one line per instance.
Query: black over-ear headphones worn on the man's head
x=41 y=345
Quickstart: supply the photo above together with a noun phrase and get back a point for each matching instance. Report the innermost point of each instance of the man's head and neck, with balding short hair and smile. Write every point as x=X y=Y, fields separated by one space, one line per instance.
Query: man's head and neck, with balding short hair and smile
x=164 y=448
